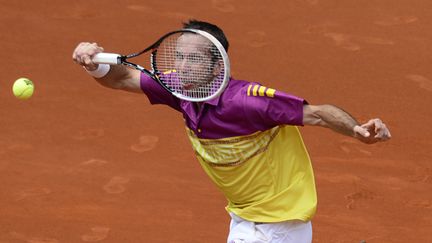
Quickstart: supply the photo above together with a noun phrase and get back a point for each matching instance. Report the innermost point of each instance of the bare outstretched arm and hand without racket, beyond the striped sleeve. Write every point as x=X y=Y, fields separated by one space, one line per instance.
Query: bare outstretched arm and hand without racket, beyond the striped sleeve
x=340 y=121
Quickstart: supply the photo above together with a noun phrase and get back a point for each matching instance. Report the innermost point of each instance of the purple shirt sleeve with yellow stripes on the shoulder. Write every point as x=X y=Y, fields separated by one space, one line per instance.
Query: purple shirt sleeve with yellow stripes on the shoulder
x=266 y=107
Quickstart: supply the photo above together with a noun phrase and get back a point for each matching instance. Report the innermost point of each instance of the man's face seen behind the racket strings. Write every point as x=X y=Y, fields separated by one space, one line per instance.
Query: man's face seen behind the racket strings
x=194 y=62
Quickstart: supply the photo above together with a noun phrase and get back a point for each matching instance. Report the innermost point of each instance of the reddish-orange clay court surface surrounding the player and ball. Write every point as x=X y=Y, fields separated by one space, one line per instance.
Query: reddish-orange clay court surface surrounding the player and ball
x=81 y=163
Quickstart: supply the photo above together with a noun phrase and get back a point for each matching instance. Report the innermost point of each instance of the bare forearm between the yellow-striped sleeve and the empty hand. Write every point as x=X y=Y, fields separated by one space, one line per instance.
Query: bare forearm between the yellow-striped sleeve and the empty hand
x=336 y=119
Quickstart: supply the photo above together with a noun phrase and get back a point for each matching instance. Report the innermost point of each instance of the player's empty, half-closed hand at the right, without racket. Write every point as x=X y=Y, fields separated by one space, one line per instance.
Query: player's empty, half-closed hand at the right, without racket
x=372 y=131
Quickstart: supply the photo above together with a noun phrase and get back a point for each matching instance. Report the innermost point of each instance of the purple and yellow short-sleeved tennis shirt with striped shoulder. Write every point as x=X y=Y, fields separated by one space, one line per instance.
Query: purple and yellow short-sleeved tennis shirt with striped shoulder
x=247 y=142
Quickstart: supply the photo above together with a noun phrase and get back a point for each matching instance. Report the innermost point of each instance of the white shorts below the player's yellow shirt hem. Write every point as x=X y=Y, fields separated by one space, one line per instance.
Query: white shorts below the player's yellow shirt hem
x=292 y=231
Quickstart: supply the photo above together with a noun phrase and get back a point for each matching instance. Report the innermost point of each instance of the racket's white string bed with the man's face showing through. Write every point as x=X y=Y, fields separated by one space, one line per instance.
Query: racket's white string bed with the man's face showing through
x=194 y=70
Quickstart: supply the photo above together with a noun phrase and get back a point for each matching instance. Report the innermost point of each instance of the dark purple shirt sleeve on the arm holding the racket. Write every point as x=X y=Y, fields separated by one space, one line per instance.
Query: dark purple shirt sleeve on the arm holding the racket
x=158 y=94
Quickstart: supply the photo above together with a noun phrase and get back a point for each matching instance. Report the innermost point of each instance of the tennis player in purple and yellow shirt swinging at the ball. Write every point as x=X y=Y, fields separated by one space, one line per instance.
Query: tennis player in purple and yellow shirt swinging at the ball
x=248 y=143
